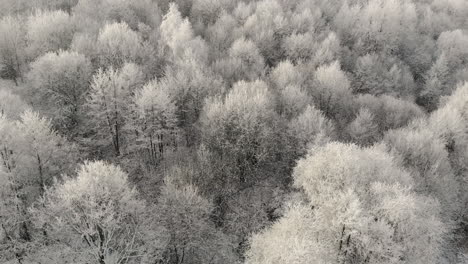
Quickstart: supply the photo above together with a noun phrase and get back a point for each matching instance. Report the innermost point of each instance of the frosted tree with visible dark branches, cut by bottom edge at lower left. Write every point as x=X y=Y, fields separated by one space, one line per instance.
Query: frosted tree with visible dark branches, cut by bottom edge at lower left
x=97 y=213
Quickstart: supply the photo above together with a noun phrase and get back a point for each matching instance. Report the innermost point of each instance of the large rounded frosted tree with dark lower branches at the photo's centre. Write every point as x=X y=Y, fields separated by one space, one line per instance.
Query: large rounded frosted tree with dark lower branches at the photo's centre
x=240 y=129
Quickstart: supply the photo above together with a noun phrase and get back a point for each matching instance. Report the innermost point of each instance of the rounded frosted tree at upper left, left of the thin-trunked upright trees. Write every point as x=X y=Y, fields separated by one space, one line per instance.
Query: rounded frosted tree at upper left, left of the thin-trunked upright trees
x=59 y=83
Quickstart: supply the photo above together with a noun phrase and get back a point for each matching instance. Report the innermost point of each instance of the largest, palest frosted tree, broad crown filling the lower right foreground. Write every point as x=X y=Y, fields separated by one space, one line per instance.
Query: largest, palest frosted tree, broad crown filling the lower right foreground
x=341 y=222
